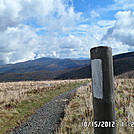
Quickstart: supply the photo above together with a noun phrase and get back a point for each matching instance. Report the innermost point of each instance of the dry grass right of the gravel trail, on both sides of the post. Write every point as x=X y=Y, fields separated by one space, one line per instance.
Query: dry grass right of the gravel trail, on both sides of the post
x=80 y=109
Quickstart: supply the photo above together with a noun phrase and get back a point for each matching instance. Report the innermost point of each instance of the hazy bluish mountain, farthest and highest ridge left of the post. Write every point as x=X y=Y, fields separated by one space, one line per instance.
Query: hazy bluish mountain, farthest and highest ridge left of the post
x=42 y=64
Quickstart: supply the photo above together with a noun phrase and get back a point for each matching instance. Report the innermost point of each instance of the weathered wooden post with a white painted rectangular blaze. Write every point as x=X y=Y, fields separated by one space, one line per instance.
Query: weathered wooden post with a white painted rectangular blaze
x=103 y=90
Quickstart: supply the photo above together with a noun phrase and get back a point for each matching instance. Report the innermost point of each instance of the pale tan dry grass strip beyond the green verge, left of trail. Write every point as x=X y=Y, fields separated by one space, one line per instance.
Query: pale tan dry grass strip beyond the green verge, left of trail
x=17 y=91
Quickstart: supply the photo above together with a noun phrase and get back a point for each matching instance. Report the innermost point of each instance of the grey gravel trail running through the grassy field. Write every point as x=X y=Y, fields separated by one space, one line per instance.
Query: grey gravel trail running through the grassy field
x=47 y=119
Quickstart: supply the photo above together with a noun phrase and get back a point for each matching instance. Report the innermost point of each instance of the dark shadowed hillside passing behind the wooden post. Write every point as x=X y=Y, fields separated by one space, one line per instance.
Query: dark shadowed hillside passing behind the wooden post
x=123 y=63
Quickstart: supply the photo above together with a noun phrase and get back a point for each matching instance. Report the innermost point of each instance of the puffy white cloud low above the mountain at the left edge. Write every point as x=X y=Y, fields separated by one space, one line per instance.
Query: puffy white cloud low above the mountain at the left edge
x=17 y=44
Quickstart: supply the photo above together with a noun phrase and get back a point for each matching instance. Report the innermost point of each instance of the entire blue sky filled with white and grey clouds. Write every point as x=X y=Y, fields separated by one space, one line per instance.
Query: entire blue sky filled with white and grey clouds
x=31 y=29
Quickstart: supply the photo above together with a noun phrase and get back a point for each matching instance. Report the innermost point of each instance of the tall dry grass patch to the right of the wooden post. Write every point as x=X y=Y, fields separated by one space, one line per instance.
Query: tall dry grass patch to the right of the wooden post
x=124 y=100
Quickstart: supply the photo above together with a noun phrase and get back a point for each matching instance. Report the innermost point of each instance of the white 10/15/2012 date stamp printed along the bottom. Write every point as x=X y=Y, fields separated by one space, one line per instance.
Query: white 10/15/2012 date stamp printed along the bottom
x=107 y=124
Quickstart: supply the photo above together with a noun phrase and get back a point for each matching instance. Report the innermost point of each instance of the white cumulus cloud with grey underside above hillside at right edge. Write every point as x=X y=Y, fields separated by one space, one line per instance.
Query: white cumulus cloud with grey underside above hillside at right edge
x=121 y=35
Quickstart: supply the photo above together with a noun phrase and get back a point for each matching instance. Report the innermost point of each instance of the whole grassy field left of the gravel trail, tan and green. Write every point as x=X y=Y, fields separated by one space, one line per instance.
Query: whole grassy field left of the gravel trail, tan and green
x=18 y=100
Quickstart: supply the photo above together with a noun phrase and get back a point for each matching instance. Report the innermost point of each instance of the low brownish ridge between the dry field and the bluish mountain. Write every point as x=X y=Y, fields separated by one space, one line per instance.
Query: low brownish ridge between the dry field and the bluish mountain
x=34 y=76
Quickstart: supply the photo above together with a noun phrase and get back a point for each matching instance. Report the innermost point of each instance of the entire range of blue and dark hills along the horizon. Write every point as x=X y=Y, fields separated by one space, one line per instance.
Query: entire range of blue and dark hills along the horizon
x=49 y=69
